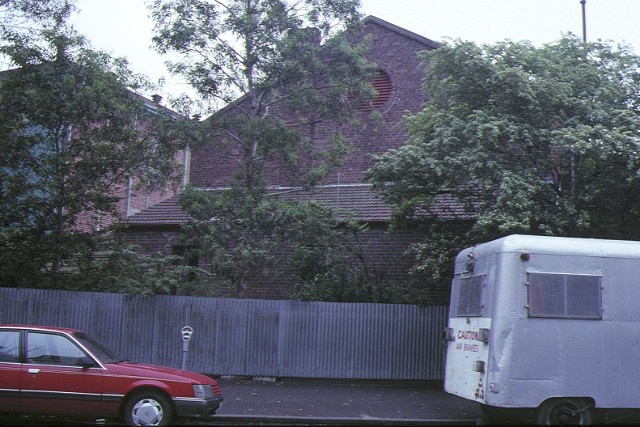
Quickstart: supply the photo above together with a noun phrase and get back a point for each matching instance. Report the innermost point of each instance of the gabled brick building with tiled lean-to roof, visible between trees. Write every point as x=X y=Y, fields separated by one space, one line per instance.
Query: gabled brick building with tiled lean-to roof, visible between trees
x=395 y=51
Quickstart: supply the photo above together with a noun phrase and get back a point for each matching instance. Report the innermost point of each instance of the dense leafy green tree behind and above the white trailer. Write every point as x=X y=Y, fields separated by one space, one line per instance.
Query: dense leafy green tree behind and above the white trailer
x=524 y=140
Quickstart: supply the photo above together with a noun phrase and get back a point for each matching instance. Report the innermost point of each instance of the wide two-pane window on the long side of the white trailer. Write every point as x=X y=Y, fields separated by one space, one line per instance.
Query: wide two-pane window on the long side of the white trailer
x=565 y=296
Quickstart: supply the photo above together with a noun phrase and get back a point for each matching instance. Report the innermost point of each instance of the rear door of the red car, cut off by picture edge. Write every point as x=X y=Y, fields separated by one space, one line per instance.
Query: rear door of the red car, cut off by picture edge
x=9 y=369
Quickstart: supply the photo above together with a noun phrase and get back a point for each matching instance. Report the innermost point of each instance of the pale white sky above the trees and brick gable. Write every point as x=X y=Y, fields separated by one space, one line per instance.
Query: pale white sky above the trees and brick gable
x=123 y=28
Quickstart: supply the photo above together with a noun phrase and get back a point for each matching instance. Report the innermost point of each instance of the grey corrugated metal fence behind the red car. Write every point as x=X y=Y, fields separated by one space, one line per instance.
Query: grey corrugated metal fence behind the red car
x=249 y=337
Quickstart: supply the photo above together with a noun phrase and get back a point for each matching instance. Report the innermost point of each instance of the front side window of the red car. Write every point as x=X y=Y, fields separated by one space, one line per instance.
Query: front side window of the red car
x=43 y=348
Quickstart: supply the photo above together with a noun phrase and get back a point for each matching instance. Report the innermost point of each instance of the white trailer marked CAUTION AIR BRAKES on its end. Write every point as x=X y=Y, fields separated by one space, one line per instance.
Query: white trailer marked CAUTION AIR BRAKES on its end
x=547 y=323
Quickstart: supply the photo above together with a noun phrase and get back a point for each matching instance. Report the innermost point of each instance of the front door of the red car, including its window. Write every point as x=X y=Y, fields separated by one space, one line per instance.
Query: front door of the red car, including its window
x=56 y=378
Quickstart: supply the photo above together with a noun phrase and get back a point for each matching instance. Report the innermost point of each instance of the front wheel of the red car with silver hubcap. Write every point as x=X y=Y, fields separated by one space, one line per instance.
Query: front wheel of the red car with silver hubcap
x=148 y=408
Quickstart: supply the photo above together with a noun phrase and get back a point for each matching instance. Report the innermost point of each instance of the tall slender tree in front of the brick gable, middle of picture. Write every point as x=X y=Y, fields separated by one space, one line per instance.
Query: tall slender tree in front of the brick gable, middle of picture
x=289 y=74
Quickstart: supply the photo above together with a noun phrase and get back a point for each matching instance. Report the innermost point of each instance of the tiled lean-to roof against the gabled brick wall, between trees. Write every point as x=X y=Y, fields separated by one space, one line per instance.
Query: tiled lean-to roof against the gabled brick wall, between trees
x=356 y=198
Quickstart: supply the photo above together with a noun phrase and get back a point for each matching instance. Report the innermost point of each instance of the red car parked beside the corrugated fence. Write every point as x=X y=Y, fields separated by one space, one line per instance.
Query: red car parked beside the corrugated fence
x=63 y=371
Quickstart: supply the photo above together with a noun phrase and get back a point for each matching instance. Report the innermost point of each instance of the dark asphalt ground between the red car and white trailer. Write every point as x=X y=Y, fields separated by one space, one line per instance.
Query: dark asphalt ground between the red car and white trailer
x=320 y=402
